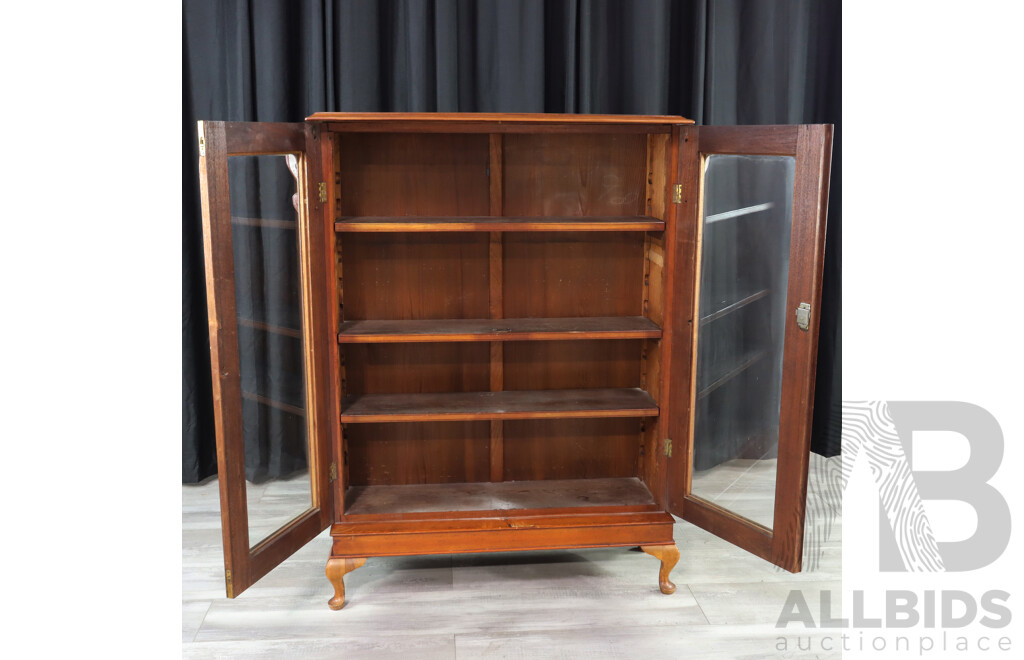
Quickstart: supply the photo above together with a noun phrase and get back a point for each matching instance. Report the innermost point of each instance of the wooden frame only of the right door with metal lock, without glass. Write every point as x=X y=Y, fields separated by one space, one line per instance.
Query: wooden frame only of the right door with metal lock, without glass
x=812 y=146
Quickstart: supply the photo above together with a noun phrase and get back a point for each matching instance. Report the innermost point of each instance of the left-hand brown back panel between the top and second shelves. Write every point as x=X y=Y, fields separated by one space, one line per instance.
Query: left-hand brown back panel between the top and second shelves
x=415 y=276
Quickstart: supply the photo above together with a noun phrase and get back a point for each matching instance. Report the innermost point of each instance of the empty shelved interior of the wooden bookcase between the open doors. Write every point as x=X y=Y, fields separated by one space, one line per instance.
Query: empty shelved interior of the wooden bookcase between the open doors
x=529 y=355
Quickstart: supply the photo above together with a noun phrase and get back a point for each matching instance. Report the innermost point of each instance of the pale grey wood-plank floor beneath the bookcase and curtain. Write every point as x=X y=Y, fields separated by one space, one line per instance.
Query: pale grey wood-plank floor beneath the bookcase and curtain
x=568 y=604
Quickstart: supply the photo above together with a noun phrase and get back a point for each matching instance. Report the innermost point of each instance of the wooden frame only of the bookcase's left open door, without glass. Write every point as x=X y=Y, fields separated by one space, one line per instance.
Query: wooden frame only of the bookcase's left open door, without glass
x=219 y=141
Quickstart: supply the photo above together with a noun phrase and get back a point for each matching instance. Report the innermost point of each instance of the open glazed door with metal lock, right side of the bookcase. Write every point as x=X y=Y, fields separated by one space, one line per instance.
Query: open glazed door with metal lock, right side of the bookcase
x=751 y=239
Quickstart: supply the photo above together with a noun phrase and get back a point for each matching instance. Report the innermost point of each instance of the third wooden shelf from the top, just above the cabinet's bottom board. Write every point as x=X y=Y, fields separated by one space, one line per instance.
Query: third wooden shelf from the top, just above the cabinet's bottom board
x=522 y=405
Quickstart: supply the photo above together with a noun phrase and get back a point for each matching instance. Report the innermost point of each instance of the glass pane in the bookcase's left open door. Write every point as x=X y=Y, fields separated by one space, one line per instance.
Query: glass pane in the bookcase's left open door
x=268 y=296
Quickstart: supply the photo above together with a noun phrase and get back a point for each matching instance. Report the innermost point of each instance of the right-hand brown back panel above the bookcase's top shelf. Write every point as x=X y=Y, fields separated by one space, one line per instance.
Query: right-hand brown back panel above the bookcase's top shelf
x=575 y=175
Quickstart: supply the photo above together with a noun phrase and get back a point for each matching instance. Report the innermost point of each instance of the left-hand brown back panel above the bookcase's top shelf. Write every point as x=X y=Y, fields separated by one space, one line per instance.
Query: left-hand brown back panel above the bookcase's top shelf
x=403 y=174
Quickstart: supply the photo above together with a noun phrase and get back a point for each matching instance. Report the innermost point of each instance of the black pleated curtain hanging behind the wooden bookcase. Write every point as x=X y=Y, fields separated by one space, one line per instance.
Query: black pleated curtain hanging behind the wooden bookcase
x=727 y=62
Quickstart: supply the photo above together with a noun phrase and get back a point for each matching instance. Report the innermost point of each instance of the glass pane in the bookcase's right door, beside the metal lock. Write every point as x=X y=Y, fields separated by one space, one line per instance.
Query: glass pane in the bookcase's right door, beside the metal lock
x=745 y=262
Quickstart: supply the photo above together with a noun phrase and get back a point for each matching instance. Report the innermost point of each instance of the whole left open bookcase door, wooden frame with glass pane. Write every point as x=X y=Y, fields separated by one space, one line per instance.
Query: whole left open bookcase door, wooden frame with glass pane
x=264 y=233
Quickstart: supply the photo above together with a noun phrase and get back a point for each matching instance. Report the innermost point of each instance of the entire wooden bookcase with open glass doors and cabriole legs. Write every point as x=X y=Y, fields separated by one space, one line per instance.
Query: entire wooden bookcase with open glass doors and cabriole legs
x=485 y=333
